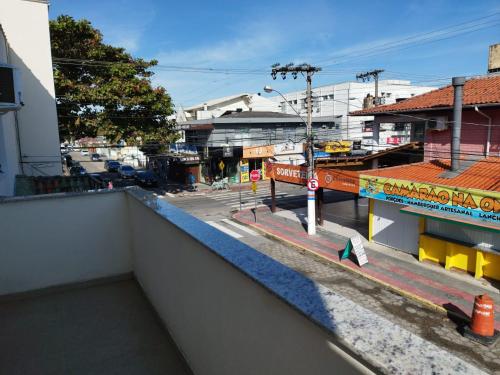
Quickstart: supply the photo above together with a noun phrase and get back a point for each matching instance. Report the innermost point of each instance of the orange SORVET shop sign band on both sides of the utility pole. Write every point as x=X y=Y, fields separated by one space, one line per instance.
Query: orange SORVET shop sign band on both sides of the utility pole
x=335 y=179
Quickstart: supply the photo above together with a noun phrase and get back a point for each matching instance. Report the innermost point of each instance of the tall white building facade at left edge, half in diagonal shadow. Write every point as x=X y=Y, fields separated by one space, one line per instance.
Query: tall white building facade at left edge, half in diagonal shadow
x=29 y=138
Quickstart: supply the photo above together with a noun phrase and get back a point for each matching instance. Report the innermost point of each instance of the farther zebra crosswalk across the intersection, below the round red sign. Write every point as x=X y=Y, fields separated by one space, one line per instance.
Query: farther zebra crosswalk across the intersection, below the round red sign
x=249 y=199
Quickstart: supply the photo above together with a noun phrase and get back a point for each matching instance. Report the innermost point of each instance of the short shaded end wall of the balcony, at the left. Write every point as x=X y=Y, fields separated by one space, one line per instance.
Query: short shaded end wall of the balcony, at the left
x=47 y=241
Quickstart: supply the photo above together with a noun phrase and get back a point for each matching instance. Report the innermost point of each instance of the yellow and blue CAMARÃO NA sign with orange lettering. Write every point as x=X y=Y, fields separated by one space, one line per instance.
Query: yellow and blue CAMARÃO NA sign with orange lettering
x=472 y=203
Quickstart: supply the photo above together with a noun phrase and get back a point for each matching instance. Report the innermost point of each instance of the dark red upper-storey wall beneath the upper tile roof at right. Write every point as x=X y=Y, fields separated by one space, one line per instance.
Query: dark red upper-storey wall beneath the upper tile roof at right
x=473 y=137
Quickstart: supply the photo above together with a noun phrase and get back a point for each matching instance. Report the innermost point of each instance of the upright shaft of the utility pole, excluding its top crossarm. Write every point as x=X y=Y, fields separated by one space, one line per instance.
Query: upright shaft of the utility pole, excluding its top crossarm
x=311 y=195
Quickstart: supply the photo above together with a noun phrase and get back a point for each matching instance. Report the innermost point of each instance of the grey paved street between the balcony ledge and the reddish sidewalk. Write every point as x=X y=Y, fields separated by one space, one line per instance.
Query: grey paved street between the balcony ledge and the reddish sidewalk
x=215 y=209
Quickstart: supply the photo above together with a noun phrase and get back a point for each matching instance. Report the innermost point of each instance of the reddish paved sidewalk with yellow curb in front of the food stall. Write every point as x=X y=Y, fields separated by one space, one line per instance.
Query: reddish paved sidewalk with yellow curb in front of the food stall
x=448 y=293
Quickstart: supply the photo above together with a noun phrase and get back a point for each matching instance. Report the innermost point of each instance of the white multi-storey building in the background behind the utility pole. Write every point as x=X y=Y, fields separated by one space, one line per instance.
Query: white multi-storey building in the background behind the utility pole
x=337 y=100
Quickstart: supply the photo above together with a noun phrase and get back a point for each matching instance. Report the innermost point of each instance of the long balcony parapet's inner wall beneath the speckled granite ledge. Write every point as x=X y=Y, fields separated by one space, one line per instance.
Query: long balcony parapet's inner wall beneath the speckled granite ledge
x=224 y=322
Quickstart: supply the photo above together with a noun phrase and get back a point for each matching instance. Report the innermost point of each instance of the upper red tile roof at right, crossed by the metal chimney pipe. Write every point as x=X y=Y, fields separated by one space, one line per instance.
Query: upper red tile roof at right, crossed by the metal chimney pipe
x=484 y=90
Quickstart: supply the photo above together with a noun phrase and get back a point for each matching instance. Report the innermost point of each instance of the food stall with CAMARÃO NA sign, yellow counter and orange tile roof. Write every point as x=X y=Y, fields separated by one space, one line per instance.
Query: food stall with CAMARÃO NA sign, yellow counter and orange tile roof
x=456 y=225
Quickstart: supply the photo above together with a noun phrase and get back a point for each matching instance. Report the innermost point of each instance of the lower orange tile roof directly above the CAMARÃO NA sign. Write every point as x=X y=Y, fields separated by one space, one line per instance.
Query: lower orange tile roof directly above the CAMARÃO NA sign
x=483 y=175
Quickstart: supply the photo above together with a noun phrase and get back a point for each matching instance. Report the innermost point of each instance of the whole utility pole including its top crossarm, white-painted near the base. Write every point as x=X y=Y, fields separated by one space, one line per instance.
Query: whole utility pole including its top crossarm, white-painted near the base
x=307 y=71
